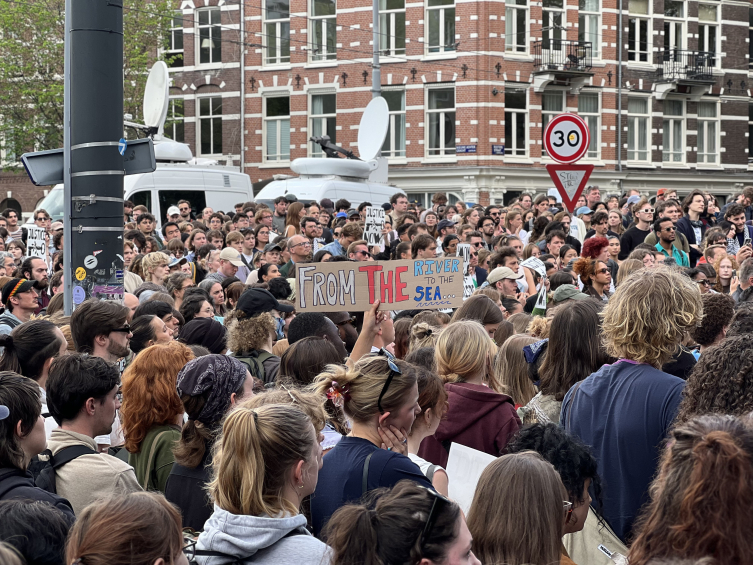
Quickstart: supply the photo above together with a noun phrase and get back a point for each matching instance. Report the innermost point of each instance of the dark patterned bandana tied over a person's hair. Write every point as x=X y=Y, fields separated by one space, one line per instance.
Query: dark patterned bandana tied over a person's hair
x=221 y=375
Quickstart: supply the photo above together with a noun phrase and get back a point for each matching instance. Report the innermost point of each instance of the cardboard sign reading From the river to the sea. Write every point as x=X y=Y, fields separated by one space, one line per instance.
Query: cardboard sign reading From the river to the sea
x=400 y=285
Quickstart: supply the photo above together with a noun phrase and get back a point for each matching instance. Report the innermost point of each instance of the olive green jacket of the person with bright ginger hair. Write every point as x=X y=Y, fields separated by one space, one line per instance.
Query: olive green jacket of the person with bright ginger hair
x=155 y=457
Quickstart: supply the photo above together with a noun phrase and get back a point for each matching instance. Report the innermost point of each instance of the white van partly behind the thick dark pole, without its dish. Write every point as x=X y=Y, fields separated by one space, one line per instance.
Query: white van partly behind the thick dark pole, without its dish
x=215 y=186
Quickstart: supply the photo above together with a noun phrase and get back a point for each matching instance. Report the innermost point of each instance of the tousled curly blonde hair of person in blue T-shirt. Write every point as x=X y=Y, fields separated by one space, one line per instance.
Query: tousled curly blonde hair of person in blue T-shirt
x=648 y=315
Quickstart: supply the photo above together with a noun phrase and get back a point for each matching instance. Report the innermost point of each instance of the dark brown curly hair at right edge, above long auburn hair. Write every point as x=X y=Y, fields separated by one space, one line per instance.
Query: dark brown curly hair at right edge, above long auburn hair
x=721 y=382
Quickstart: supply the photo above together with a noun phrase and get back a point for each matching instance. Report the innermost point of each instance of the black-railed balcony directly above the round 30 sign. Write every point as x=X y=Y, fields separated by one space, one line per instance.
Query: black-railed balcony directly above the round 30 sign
x=562 y=62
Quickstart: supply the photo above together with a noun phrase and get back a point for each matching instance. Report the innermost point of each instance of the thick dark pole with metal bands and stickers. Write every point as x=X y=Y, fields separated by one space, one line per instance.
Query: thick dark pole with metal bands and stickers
x=94 y=228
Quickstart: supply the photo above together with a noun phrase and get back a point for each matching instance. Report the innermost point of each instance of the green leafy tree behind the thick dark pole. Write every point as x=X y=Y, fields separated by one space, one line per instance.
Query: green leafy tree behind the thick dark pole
x=32 y=62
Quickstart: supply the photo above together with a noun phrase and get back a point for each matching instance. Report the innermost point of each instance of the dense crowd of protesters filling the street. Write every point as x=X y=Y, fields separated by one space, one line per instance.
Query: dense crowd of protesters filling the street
x=205 y=420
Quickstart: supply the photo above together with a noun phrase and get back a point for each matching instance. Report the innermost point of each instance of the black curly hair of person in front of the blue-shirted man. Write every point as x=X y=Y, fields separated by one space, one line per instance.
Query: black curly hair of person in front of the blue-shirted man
x=570 y=457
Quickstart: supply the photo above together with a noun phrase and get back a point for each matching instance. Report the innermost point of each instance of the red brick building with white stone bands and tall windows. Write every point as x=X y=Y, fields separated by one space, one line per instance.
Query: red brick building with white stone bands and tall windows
x=471 y=86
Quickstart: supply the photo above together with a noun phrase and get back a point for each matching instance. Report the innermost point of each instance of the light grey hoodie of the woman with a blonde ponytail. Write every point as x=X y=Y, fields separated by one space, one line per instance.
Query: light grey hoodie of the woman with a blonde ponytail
x=259 y=539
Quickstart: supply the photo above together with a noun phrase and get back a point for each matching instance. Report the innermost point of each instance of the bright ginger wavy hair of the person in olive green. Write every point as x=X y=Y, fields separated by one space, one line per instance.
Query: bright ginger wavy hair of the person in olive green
x=150 y=397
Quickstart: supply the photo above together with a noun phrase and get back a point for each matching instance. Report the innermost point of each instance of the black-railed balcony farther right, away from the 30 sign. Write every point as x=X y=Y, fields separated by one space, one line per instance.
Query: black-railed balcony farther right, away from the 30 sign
x=684 y=72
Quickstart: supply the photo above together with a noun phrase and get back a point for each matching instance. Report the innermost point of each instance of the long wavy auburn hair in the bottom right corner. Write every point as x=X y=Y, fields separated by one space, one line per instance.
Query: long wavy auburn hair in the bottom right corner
x=702 y=497
